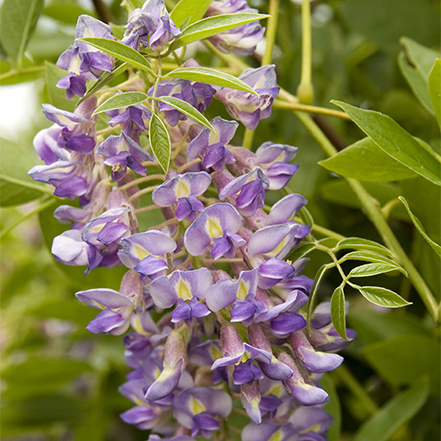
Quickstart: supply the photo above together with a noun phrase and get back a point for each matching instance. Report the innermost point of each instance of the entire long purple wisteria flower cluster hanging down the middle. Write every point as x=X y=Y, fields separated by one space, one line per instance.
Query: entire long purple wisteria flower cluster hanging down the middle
x=232 y=335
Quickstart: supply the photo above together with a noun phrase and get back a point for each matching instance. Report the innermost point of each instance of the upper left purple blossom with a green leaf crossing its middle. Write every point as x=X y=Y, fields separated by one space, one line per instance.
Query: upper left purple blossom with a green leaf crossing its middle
x=82 y=61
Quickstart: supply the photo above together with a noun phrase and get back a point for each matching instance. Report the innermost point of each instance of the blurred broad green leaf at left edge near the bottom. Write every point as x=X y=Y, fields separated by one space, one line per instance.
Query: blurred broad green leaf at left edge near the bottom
x=41 y=375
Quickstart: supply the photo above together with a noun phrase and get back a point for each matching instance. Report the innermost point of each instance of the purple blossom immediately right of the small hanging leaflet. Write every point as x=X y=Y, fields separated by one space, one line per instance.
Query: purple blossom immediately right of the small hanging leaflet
x=212 y=145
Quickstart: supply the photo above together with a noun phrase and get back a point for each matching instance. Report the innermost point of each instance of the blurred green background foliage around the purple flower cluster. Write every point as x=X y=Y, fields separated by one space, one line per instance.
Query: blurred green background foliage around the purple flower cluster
x=59 y=382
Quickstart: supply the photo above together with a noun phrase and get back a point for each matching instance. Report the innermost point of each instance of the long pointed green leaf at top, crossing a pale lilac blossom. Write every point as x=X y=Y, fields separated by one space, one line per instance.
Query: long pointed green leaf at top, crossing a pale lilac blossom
x=214 y=25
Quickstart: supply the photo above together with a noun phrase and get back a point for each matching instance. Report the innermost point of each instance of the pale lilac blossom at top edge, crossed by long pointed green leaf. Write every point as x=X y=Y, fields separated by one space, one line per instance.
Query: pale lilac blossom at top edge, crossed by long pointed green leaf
x=241 y=40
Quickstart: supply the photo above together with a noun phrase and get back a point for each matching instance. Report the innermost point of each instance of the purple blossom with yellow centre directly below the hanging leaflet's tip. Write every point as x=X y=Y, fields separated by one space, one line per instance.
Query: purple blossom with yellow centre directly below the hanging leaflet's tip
x=182 y=190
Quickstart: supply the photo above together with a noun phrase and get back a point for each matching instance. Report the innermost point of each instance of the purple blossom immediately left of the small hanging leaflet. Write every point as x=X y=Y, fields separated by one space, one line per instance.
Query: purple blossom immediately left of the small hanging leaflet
x=123 y=152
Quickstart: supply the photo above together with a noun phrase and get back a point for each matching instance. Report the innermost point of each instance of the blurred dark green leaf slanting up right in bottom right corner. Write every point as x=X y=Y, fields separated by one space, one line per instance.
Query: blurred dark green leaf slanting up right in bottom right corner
x=394 y=413
